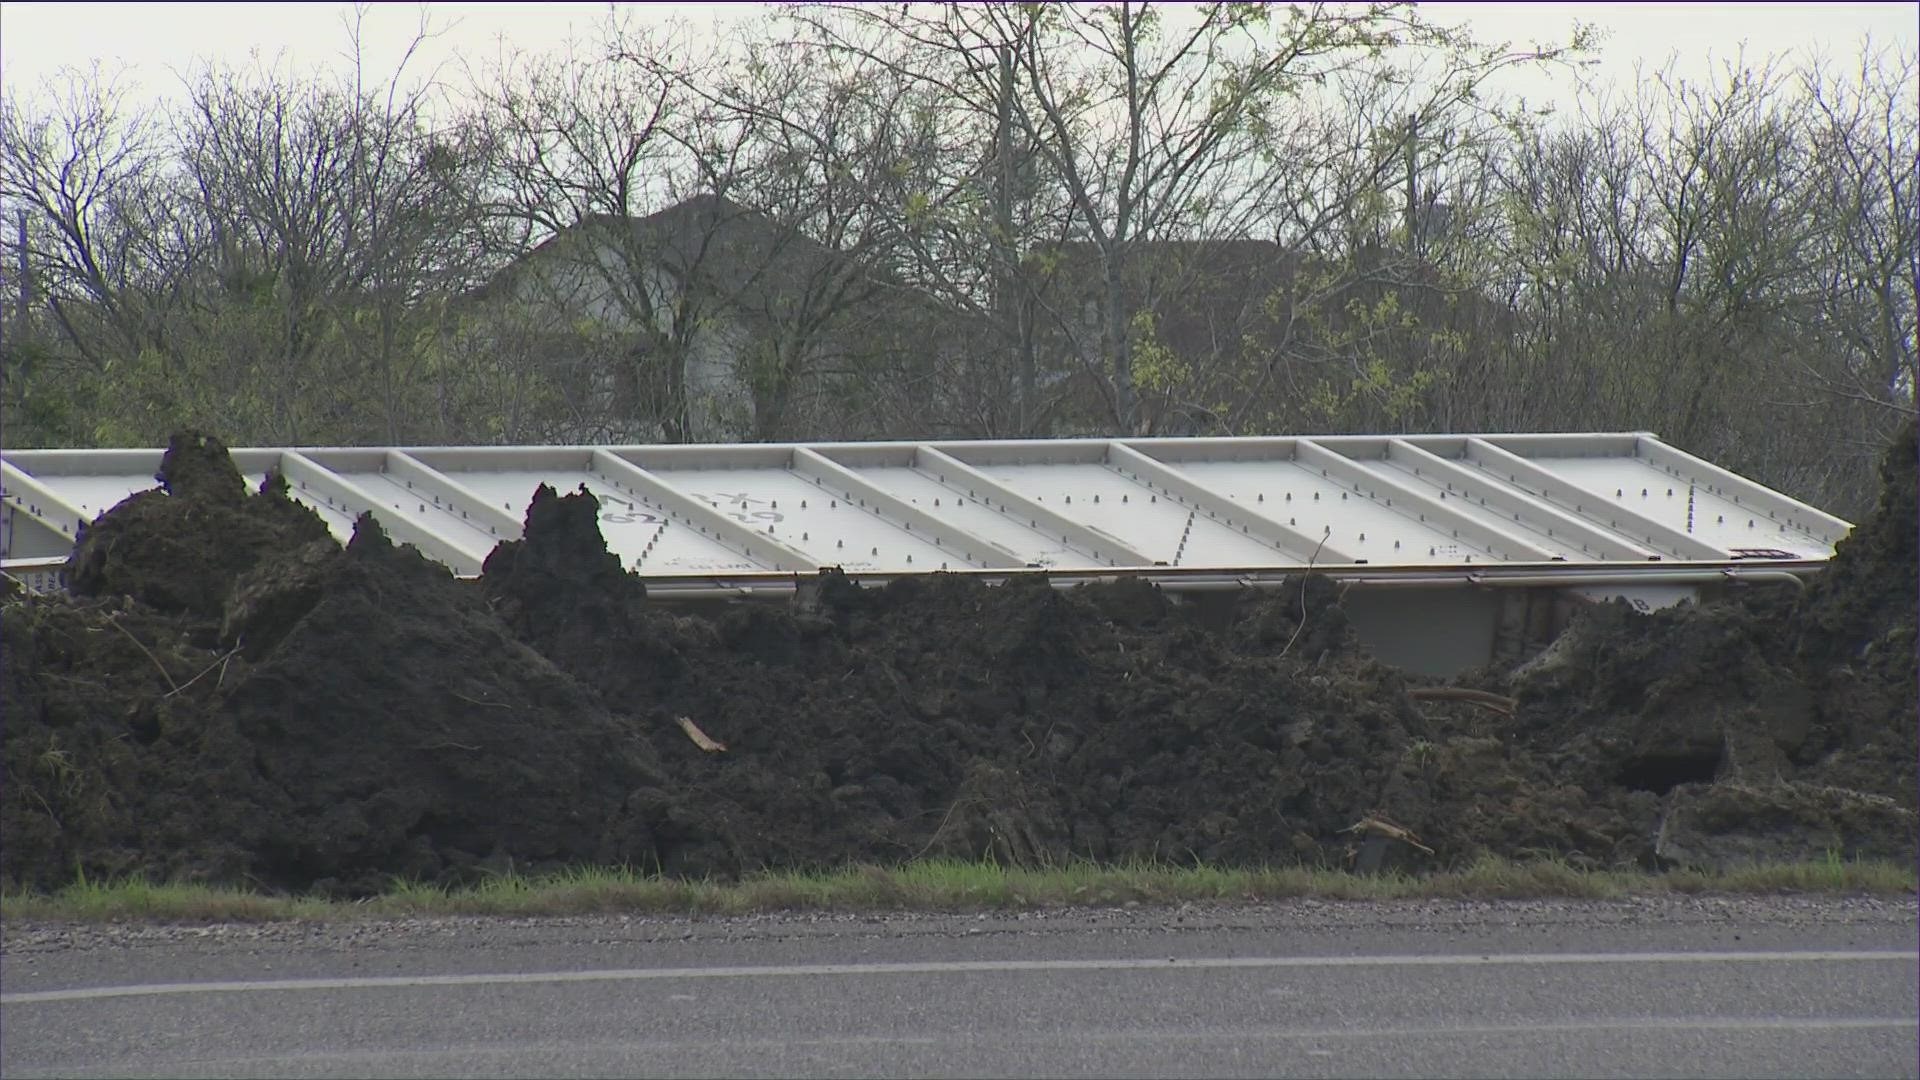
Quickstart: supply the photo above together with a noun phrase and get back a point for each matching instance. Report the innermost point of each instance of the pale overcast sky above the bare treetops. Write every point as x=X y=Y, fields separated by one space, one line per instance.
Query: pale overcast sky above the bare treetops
x=158 y=39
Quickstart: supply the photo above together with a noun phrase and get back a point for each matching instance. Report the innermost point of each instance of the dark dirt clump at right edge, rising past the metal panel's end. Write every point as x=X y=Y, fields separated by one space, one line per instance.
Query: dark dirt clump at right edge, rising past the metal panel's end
x=1794 y=708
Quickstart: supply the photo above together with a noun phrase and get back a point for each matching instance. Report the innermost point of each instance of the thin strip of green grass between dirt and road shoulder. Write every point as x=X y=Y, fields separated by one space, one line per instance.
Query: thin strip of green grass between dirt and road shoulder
x=936 y=885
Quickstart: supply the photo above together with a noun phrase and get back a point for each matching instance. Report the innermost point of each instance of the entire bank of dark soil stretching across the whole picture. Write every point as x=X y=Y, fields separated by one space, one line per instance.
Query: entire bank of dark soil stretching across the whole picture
x=235 y=697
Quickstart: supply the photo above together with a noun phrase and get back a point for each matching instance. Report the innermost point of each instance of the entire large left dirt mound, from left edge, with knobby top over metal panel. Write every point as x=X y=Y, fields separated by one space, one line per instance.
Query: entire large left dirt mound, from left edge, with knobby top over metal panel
x=337 y=720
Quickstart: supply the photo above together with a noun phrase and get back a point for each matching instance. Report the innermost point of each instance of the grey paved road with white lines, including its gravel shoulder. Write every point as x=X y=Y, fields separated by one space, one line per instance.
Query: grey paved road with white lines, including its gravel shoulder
x=1635 y=989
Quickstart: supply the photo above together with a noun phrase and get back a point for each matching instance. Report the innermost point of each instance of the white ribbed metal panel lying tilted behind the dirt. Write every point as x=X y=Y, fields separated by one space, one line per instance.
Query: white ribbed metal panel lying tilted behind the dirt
x=1076 y=506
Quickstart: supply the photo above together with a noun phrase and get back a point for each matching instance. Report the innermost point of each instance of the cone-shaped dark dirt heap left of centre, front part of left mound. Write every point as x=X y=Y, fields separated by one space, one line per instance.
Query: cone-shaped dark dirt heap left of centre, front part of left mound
x=425 y=739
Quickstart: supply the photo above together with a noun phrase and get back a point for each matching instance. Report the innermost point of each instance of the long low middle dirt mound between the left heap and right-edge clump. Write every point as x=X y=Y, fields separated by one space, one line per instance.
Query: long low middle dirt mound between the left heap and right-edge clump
x=1022 y=722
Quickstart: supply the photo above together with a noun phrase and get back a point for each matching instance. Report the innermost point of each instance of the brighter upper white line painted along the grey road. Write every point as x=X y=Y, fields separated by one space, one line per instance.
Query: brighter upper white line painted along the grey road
x=940 y=968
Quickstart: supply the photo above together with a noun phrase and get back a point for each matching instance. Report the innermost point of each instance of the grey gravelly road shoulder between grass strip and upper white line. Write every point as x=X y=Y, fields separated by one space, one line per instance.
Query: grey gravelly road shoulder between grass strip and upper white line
x=45 y=956
